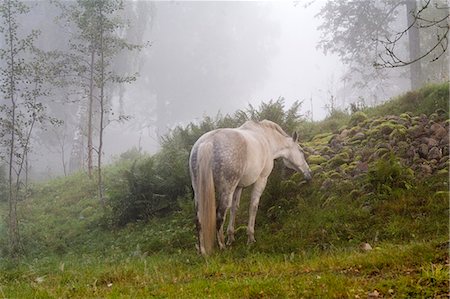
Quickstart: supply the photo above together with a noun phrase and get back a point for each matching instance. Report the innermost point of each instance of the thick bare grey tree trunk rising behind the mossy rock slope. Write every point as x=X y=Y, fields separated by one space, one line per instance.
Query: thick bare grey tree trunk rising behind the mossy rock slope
x=414 y=45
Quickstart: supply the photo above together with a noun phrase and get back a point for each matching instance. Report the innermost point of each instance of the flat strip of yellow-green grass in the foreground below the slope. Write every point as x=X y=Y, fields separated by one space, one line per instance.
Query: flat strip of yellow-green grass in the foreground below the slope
x=413 y=270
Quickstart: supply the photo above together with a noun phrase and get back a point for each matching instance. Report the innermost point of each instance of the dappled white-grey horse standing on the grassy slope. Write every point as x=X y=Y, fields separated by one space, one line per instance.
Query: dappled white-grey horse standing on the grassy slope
x=224 y=161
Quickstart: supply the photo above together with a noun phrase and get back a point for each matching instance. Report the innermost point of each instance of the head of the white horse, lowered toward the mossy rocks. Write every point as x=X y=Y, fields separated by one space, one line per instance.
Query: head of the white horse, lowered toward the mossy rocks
x=294 y=157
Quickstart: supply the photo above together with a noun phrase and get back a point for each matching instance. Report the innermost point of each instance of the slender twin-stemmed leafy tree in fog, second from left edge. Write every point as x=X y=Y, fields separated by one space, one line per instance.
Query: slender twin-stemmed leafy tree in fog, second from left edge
x=94 y=47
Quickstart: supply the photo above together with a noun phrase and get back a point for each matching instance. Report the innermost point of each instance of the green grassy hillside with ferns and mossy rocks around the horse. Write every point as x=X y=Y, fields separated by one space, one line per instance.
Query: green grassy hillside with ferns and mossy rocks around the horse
x=373 y=222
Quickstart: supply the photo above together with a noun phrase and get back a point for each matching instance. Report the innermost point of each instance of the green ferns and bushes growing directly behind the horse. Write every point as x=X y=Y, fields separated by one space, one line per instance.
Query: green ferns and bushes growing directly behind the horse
x=153 y=186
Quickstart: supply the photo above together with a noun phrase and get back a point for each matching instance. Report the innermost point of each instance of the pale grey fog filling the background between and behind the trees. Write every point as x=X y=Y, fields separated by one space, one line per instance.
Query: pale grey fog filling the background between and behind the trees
x=200 y=58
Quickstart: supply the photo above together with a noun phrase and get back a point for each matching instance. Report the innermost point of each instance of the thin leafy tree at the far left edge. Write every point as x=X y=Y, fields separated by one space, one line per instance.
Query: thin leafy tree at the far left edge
x=23 y=72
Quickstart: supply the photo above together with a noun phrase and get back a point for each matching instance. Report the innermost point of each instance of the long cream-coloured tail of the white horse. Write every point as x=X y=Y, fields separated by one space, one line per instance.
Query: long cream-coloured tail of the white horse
x=206 y=201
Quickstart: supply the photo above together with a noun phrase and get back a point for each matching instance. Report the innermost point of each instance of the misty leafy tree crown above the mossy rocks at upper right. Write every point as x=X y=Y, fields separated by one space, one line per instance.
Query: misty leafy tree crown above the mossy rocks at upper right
x=367 y=33
